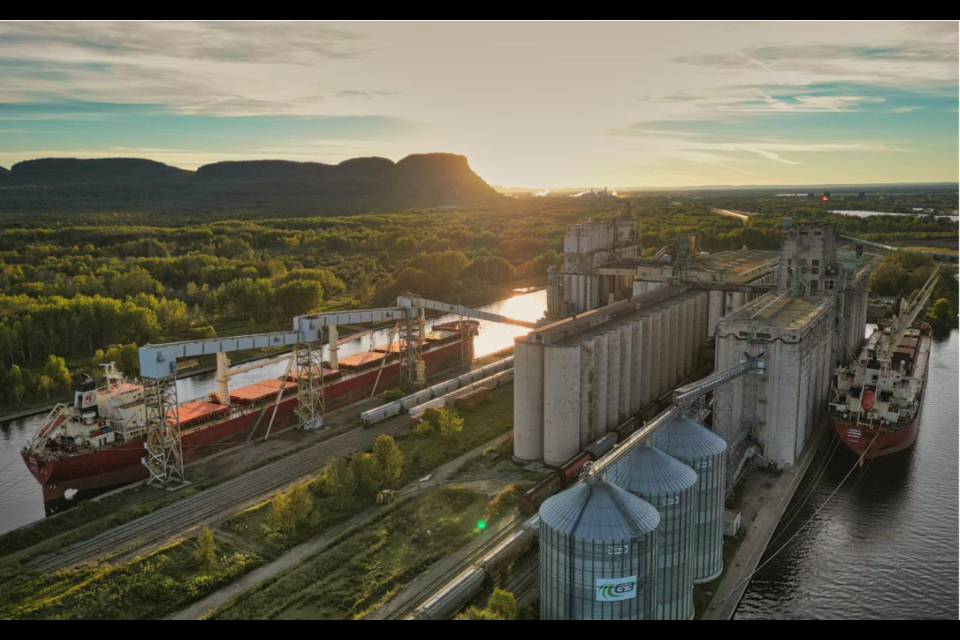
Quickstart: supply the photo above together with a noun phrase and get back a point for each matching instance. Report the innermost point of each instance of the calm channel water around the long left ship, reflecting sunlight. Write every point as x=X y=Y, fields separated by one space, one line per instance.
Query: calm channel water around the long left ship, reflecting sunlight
x=21 y=501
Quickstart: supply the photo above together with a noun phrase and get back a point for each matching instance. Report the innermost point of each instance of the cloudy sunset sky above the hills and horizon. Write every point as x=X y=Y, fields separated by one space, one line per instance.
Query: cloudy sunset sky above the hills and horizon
x=537 y=105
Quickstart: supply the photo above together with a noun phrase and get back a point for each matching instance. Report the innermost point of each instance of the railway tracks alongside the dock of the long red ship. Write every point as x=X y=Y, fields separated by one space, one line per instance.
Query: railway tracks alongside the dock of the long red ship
x=217 y=501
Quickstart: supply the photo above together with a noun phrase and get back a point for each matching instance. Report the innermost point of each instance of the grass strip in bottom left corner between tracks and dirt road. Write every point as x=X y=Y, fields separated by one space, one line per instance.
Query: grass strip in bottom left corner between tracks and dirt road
x=149 y=587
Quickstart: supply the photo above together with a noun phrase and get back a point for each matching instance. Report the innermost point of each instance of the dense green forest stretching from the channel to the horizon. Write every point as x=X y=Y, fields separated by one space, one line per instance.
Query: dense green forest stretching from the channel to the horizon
x=79 y=288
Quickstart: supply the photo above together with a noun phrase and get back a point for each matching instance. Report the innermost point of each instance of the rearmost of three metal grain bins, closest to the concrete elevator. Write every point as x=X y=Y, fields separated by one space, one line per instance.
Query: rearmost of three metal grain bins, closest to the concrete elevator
x=706 y=453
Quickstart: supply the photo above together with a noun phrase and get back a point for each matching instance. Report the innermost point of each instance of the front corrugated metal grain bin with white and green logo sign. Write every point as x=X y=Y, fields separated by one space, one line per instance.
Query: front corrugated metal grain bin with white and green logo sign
x=598 y=547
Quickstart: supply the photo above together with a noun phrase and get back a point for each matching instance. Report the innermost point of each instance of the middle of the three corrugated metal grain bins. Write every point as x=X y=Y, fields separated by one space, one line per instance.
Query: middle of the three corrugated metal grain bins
x=671 y=487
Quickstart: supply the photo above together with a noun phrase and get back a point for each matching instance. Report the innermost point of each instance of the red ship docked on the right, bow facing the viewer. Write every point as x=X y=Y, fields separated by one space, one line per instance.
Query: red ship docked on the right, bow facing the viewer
x=876 y=402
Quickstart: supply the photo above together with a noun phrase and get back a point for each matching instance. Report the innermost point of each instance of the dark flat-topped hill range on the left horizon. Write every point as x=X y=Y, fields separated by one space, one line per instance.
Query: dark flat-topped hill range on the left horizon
x=277 y=186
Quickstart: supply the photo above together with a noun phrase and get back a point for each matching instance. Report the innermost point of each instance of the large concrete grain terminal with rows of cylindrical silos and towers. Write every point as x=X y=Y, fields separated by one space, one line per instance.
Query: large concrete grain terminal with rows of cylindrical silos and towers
x=579 y=378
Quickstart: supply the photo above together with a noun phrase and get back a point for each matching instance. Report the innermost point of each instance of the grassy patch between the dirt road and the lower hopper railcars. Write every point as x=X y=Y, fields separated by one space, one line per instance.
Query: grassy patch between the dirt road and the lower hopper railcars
x=368 y=567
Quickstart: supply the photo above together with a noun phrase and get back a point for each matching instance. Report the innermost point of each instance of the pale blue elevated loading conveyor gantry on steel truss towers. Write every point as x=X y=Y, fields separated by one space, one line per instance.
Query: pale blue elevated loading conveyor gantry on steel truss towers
x=158 y=368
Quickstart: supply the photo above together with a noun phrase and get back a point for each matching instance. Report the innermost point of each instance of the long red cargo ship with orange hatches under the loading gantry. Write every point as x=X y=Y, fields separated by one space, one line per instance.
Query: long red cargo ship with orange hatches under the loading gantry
x=97 y=443
